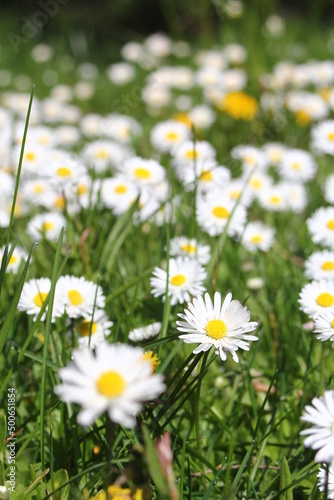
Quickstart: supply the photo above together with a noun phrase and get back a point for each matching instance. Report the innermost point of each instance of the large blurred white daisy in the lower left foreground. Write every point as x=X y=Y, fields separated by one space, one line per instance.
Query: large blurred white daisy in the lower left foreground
x=117 y=380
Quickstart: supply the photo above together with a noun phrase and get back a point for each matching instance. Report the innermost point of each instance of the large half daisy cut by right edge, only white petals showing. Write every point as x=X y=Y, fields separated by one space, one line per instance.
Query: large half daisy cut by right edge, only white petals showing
x=320 y=436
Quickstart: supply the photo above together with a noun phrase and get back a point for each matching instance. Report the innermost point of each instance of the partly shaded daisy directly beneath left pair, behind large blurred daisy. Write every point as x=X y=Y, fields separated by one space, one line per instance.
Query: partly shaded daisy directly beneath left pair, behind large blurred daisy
x=98 y=329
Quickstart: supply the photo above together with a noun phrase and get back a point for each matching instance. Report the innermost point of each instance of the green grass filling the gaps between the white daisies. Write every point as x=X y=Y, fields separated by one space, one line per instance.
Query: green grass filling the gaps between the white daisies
x=234 y=427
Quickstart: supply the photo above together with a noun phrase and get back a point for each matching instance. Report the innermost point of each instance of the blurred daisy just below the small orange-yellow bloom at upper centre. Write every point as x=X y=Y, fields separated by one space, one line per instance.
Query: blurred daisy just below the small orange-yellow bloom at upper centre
x=166 y=136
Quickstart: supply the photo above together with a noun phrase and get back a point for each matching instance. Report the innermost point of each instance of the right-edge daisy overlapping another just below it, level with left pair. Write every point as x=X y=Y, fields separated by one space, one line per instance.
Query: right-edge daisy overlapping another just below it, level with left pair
x=317 y=297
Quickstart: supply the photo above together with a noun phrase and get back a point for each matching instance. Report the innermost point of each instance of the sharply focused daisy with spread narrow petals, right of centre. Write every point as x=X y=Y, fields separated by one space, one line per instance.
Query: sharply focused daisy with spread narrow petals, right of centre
x=224 y=326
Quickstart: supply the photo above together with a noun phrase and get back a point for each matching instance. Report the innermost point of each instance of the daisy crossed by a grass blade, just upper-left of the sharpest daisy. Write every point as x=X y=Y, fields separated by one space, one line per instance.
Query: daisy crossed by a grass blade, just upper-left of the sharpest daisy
x=185 y=279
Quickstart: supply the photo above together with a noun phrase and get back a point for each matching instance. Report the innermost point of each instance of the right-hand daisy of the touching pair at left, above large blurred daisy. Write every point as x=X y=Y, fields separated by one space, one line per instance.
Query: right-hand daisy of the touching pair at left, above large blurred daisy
x=78 y=295
